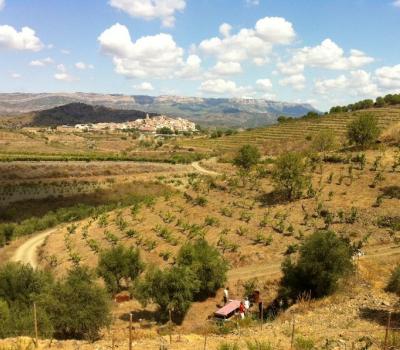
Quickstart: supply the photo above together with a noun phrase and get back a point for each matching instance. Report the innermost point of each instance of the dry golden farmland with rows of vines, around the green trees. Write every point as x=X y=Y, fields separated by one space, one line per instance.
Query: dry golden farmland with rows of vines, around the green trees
x=158 y=207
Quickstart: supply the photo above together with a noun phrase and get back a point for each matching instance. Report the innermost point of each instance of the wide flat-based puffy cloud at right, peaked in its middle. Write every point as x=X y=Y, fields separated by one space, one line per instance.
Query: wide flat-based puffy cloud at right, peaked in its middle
x=330 y=56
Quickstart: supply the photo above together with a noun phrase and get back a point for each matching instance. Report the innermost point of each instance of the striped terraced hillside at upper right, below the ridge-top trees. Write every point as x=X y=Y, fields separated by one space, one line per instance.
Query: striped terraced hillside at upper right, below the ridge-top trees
x=293 y=134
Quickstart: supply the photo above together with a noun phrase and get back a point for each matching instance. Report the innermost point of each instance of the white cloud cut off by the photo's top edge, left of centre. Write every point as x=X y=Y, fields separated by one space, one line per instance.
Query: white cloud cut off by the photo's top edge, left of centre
x=151 y=9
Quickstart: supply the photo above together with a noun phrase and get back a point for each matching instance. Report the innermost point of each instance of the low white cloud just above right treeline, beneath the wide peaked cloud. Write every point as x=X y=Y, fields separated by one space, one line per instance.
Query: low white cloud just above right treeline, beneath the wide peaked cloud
x=358 y=83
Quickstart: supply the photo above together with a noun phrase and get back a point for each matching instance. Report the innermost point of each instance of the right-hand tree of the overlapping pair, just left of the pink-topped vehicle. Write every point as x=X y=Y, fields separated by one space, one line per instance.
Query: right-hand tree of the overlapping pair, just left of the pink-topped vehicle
x=208 y=265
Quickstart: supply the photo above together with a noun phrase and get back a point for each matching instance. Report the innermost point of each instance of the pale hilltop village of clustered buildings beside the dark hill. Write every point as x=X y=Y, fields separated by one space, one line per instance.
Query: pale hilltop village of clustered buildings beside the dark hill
x=148 y=125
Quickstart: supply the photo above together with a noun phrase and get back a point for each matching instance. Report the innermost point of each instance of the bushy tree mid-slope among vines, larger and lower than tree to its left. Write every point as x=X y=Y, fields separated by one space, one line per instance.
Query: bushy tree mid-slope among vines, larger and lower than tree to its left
x=288 y=175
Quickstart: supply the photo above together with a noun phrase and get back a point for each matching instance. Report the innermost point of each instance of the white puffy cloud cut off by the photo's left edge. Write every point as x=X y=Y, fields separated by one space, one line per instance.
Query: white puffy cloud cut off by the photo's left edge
x=26 y=39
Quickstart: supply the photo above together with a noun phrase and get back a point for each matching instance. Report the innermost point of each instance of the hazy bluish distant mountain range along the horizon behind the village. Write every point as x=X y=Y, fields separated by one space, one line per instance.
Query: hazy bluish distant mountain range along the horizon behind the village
x=233 y=112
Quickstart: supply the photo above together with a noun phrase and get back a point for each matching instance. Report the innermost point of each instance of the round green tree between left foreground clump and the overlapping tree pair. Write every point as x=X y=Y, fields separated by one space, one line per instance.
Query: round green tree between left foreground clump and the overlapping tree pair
x=118 y=265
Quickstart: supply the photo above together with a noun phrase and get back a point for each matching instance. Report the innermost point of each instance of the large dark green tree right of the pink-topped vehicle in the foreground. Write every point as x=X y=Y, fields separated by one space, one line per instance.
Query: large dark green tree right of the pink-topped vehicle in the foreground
x=323 y=260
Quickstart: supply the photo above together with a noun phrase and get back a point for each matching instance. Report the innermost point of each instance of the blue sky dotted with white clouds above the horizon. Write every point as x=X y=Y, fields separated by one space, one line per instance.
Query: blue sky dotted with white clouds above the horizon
x=323 y=52
